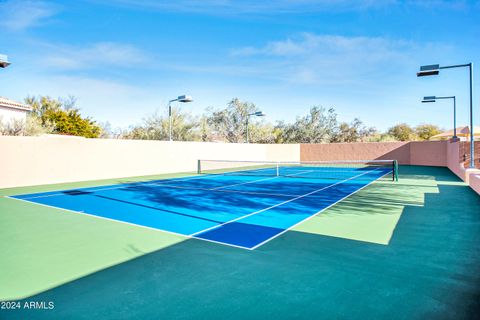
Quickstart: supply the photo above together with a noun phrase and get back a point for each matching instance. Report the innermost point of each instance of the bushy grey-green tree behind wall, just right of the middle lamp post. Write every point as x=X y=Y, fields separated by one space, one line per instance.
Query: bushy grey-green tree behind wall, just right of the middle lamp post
x=318 y=126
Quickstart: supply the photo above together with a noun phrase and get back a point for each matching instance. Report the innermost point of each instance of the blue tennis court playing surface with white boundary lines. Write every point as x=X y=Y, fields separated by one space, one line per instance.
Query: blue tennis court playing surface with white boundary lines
x=244 y=211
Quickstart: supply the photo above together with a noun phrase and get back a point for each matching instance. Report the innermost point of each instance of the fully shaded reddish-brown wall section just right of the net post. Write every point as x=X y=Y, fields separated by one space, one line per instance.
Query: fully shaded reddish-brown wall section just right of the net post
x=428 y=153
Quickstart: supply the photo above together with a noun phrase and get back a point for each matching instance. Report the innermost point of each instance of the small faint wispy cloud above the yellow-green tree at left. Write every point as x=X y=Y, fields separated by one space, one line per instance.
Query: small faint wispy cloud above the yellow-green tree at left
x=94 y=55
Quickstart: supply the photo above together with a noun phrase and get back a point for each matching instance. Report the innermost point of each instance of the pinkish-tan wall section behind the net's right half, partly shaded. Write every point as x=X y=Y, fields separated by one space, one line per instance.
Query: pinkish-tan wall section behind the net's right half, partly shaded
x=356 y=151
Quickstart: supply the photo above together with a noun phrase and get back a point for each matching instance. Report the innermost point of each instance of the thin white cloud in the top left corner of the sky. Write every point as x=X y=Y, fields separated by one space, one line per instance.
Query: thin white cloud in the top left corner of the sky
x=21 y=15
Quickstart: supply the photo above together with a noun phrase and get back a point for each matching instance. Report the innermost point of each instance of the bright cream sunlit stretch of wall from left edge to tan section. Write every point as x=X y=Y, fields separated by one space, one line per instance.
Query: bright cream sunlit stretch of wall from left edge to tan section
x=45 y=160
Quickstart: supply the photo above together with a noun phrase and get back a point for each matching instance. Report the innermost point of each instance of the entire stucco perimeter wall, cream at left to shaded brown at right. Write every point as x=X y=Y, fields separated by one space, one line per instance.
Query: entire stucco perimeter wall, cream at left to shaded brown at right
x=55 y=159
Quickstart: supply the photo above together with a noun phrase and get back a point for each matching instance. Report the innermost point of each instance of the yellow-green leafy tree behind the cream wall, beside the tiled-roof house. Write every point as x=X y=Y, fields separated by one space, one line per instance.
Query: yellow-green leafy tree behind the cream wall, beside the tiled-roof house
x=62 y=117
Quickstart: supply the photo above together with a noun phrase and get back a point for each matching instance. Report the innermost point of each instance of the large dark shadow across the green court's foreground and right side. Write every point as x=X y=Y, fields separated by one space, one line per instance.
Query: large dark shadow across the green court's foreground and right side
x=430 y=269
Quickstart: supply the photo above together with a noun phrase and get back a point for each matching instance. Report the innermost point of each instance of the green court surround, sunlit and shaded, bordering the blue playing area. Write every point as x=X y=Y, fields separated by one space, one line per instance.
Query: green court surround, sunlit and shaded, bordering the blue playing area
x=403 y=250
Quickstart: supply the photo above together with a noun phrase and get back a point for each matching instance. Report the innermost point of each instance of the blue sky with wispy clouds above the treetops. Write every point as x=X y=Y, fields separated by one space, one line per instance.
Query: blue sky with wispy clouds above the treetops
x=124 y=59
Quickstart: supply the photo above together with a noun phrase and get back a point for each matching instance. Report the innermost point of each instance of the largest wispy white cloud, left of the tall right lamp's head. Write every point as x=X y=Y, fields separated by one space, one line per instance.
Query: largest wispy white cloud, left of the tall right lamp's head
x=312 y=59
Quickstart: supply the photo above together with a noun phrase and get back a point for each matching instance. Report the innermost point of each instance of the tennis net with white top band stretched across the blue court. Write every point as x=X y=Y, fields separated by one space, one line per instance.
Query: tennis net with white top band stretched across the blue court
x=340 y=170
